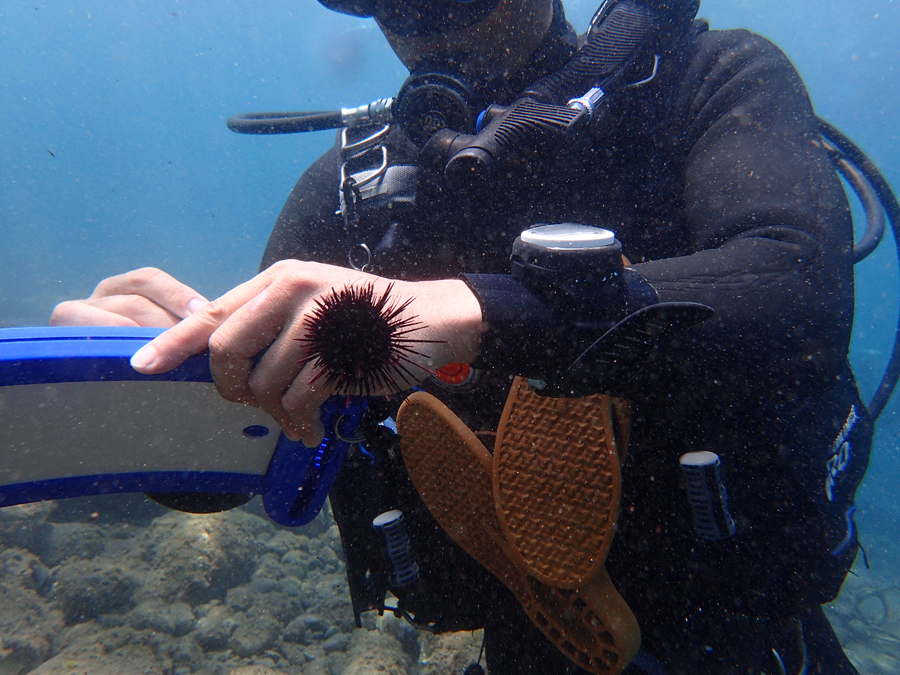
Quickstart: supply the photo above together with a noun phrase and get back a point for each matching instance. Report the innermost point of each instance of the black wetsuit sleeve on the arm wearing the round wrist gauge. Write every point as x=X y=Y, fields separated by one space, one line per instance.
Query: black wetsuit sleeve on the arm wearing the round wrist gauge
x=767 y=230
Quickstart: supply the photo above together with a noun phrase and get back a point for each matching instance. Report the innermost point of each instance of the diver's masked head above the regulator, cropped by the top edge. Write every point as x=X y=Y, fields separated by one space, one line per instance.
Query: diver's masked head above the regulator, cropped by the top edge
x=481 y=39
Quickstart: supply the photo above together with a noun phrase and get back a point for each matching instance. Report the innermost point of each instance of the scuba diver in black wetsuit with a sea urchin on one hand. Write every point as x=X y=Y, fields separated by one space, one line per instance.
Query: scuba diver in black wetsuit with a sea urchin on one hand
x=682 y=270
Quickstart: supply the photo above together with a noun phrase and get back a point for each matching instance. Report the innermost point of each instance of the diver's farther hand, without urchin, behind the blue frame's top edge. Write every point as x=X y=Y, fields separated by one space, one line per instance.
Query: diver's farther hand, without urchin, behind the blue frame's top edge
x=147 y=297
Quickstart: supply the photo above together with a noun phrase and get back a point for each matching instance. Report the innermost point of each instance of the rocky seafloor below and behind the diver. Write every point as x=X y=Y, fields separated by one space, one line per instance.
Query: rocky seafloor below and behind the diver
x=119 y=585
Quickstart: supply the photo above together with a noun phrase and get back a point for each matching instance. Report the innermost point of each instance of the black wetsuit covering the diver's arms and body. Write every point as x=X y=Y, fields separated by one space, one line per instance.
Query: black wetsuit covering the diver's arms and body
x=713 y=178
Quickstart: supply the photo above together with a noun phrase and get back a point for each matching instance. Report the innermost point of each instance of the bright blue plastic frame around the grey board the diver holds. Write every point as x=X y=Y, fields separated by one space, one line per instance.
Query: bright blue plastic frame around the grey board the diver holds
x=294 y=487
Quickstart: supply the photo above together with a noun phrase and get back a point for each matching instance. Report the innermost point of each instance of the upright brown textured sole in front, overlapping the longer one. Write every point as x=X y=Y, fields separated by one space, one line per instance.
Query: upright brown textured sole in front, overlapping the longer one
x=556 y=483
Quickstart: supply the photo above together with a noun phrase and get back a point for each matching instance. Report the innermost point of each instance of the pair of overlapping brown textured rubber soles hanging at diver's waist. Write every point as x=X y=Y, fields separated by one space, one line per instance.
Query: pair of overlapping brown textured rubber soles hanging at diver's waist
x=539 y=514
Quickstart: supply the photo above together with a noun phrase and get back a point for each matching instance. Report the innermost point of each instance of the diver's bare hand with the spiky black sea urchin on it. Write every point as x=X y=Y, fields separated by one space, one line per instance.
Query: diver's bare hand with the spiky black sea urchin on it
x=269 y=314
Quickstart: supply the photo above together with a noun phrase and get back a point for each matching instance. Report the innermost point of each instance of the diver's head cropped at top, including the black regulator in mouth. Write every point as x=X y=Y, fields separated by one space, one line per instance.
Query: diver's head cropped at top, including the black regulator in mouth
x=464 y=55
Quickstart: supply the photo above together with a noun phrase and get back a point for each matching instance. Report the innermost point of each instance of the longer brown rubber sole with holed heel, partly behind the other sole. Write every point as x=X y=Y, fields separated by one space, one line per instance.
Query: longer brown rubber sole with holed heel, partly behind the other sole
x=453 y=472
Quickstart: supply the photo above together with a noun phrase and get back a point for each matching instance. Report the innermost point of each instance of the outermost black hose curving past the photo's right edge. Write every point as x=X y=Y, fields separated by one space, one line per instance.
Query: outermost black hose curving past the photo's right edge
x=892 y=209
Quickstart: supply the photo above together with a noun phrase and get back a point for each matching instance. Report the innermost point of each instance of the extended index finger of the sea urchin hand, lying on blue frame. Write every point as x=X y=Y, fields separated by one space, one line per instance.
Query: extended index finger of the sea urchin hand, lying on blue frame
x=191 y=336
